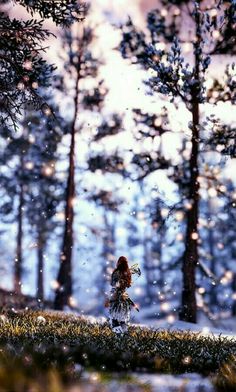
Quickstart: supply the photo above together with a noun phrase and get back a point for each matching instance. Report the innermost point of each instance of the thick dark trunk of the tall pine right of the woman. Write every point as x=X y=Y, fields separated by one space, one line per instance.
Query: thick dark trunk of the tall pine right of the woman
x=188 y=311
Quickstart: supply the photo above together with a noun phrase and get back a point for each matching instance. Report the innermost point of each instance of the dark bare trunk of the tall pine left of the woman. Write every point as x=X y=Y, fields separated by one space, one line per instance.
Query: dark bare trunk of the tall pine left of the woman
x=64 y=279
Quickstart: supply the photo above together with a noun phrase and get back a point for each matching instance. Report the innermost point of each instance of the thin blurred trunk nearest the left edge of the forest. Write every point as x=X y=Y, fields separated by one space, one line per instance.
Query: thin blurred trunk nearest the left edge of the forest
x=18 y=257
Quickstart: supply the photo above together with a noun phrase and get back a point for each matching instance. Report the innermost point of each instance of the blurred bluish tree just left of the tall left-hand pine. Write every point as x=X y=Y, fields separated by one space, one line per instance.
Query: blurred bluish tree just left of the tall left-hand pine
x=44 y=191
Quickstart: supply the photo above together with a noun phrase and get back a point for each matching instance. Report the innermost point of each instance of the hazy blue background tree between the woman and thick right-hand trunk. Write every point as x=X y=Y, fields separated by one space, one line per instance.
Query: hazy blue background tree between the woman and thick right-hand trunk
x=151 y=126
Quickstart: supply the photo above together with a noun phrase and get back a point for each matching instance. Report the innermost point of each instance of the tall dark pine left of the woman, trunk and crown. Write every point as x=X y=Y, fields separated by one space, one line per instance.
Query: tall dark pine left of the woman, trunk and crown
x=80 y=66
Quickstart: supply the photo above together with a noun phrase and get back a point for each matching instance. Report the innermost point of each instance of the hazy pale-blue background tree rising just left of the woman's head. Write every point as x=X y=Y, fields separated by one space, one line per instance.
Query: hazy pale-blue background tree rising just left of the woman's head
x=107 y=163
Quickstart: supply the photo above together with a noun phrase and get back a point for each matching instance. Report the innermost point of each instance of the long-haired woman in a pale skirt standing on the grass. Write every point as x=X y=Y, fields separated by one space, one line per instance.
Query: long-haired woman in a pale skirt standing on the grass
x=120 y=304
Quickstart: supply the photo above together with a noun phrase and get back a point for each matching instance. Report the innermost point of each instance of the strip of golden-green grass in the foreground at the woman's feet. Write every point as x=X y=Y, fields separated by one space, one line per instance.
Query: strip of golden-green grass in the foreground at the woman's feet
x=53 y=343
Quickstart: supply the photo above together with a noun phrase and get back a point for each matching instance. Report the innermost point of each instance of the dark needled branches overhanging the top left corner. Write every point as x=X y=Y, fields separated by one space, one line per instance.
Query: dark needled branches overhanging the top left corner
x=23 y=69
